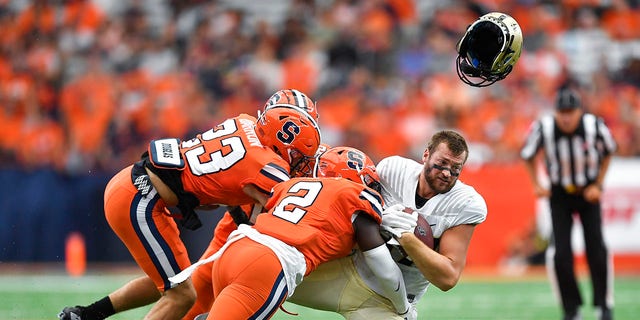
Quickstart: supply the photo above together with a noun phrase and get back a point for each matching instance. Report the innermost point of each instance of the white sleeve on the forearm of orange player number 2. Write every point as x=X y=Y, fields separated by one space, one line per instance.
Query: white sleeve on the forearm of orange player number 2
x=390 y=277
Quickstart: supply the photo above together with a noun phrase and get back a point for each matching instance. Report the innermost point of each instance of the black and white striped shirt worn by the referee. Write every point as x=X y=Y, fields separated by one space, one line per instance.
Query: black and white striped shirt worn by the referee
x=571 y=159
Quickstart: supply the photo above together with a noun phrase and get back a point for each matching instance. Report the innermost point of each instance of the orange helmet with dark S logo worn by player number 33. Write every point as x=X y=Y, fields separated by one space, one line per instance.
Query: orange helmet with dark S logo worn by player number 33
x=292 y=134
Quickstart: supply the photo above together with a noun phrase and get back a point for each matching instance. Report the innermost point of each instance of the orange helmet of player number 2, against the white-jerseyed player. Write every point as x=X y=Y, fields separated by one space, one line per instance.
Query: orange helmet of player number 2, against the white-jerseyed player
x=349 y=163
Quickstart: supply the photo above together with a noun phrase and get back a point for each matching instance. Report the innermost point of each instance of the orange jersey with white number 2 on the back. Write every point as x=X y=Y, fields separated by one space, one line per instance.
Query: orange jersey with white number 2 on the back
x=315 y=215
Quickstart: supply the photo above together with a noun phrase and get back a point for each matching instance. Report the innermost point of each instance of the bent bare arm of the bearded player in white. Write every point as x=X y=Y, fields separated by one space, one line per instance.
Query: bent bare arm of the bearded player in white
x=442 y=268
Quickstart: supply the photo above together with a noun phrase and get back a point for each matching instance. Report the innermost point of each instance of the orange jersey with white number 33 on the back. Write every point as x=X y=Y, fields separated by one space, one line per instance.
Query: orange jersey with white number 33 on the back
x=221 y=161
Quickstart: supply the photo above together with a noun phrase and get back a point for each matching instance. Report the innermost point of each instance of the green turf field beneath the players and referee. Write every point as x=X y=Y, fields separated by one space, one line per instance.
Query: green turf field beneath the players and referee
x=34 y=297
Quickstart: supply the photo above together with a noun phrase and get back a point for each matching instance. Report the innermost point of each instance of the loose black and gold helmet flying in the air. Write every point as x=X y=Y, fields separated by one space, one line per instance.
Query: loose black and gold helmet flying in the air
x=489 y=49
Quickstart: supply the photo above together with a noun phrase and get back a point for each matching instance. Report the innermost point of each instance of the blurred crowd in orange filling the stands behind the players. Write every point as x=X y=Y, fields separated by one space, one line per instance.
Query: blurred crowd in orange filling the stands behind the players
x=84 y=85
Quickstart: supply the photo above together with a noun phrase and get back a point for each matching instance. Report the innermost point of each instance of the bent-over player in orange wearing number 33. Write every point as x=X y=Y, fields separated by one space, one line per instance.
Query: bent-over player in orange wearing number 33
x=234 y=163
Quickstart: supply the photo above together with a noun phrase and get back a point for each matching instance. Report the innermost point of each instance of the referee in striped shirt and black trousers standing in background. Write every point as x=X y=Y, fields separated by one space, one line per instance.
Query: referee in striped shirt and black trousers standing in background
x=577 y=148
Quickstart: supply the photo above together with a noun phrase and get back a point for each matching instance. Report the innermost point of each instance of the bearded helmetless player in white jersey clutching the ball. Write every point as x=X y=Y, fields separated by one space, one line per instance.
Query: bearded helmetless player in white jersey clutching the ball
x=452 y=208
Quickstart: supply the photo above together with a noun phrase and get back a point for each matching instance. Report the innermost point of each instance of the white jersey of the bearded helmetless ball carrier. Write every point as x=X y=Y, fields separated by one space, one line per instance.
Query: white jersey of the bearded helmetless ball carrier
x=461 y=205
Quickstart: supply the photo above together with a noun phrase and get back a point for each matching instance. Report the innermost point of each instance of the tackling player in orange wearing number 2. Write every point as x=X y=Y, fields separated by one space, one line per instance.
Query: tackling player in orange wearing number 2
x=309 y=221
